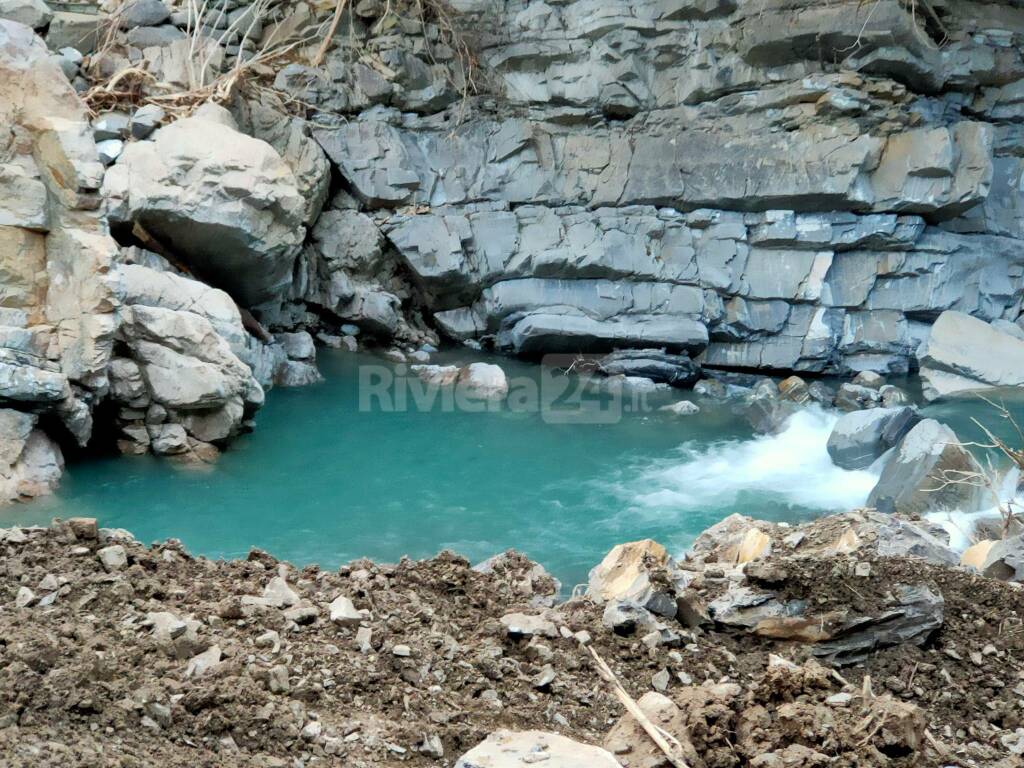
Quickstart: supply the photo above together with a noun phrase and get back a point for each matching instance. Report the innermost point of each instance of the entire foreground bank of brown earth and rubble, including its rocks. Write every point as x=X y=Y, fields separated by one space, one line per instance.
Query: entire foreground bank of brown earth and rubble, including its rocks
x=180 y=661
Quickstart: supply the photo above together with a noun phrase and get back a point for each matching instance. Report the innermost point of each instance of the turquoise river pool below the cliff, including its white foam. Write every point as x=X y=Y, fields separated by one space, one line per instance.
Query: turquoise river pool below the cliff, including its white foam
x=329 y=477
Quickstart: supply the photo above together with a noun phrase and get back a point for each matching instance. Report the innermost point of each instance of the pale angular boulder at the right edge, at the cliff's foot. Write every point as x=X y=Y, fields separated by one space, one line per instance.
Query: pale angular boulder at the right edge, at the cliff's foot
x=964 y=354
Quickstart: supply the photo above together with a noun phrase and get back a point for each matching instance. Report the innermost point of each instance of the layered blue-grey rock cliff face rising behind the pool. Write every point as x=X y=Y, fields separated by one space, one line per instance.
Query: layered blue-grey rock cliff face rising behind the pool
x=774 y=186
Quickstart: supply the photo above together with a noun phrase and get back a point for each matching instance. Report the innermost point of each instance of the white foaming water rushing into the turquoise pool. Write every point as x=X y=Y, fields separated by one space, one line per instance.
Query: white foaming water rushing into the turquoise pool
x=792 y=467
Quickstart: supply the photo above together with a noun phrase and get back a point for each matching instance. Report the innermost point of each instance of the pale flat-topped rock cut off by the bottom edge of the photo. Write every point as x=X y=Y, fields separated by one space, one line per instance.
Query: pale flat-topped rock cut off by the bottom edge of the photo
x=516 y=749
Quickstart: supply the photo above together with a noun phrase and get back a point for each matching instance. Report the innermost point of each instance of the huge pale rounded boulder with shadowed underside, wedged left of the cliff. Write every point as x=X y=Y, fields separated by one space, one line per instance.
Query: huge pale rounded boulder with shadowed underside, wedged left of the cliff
x=226 y=203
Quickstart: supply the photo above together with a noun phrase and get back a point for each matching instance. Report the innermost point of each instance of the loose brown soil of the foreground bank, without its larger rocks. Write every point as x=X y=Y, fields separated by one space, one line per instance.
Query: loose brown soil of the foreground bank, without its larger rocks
x=84 y=680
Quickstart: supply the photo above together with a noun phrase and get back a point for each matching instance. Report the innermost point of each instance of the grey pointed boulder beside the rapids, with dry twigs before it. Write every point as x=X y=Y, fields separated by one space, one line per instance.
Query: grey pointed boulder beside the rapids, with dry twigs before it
x=929 y=472
